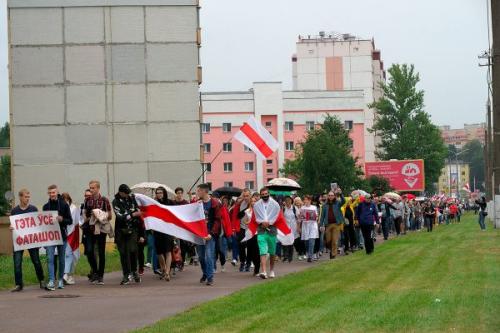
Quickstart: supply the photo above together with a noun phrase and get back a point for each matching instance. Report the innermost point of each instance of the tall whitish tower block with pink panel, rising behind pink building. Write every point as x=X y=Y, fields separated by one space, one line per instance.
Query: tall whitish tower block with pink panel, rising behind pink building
x=341 y=62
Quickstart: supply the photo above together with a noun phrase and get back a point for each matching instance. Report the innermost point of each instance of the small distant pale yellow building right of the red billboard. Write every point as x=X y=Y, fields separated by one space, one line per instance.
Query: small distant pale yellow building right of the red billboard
x=454 y=176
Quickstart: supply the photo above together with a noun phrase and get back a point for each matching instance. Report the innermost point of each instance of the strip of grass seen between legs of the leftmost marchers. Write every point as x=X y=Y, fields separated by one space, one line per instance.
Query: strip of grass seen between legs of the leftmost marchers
x=29 y=276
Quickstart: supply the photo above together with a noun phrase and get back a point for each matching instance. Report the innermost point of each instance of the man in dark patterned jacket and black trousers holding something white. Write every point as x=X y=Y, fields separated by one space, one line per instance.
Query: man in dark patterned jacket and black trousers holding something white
x=97 y=210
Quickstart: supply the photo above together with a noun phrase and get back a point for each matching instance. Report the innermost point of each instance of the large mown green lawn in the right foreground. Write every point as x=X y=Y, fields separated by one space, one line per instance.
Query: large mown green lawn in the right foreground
x=443 y=281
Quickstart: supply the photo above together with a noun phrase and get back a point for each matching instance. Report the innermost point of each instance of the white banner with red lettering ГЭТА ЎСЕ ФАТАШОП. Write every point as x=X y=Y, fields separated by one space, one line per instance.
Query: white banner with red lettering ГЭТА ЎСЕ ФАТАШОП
x=37 y=229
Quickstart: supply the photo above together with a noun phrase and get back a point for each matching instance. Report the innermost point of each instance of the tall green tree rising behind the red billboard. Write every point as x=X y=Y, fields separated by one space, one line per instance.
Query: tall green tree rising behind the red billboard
x=405 y=129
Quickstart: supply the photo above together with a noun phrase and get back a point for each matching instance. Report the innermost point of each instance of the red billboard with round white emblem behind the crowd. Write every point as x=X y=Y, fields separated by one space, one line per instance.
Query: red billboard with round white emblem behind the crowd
x=407 y=175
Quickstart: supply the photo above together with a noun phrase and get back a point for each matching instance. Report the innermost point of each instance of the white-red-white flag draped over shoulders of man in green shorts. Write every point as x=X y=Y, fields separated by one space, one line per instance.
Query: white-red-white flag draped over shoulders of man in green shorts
x=272 y=214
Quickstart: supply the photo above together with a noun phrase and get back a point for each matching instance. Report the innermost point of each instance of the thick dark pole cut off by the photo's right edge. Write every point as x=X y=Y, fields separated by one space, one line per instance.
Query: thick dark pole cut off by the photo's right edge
x=495 y=27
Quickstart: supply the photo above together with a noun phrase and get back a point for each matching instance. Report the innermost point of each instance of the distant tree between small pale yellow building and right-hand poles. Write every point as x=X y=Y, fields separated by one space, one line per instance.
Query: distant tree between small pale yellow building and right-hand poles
x=473 y=154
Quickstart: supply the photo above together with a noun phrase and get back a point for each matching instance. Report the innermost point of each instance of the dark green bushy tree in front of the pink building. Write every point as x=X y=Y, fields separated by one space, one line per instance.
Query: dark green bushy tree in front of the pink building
x=325 y=157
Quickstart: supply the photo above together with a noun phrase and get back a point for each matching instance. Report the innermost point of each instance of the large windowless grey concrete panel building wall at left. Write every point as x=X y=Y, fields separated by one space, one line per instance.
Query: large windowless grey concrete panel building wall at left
x=106 y=90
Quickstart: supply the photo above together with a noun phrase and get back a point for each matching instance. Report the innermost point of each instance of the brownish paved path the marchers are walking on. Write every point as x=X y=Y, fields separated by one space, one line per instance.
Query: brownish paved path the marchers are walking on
x=114 y=308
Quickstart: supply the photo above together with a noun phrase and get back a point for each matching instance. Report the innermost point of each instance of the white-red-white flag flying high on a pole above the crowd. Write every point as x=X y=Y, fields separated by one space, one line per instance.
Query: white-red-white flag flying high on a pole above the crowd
x=253 y=135
